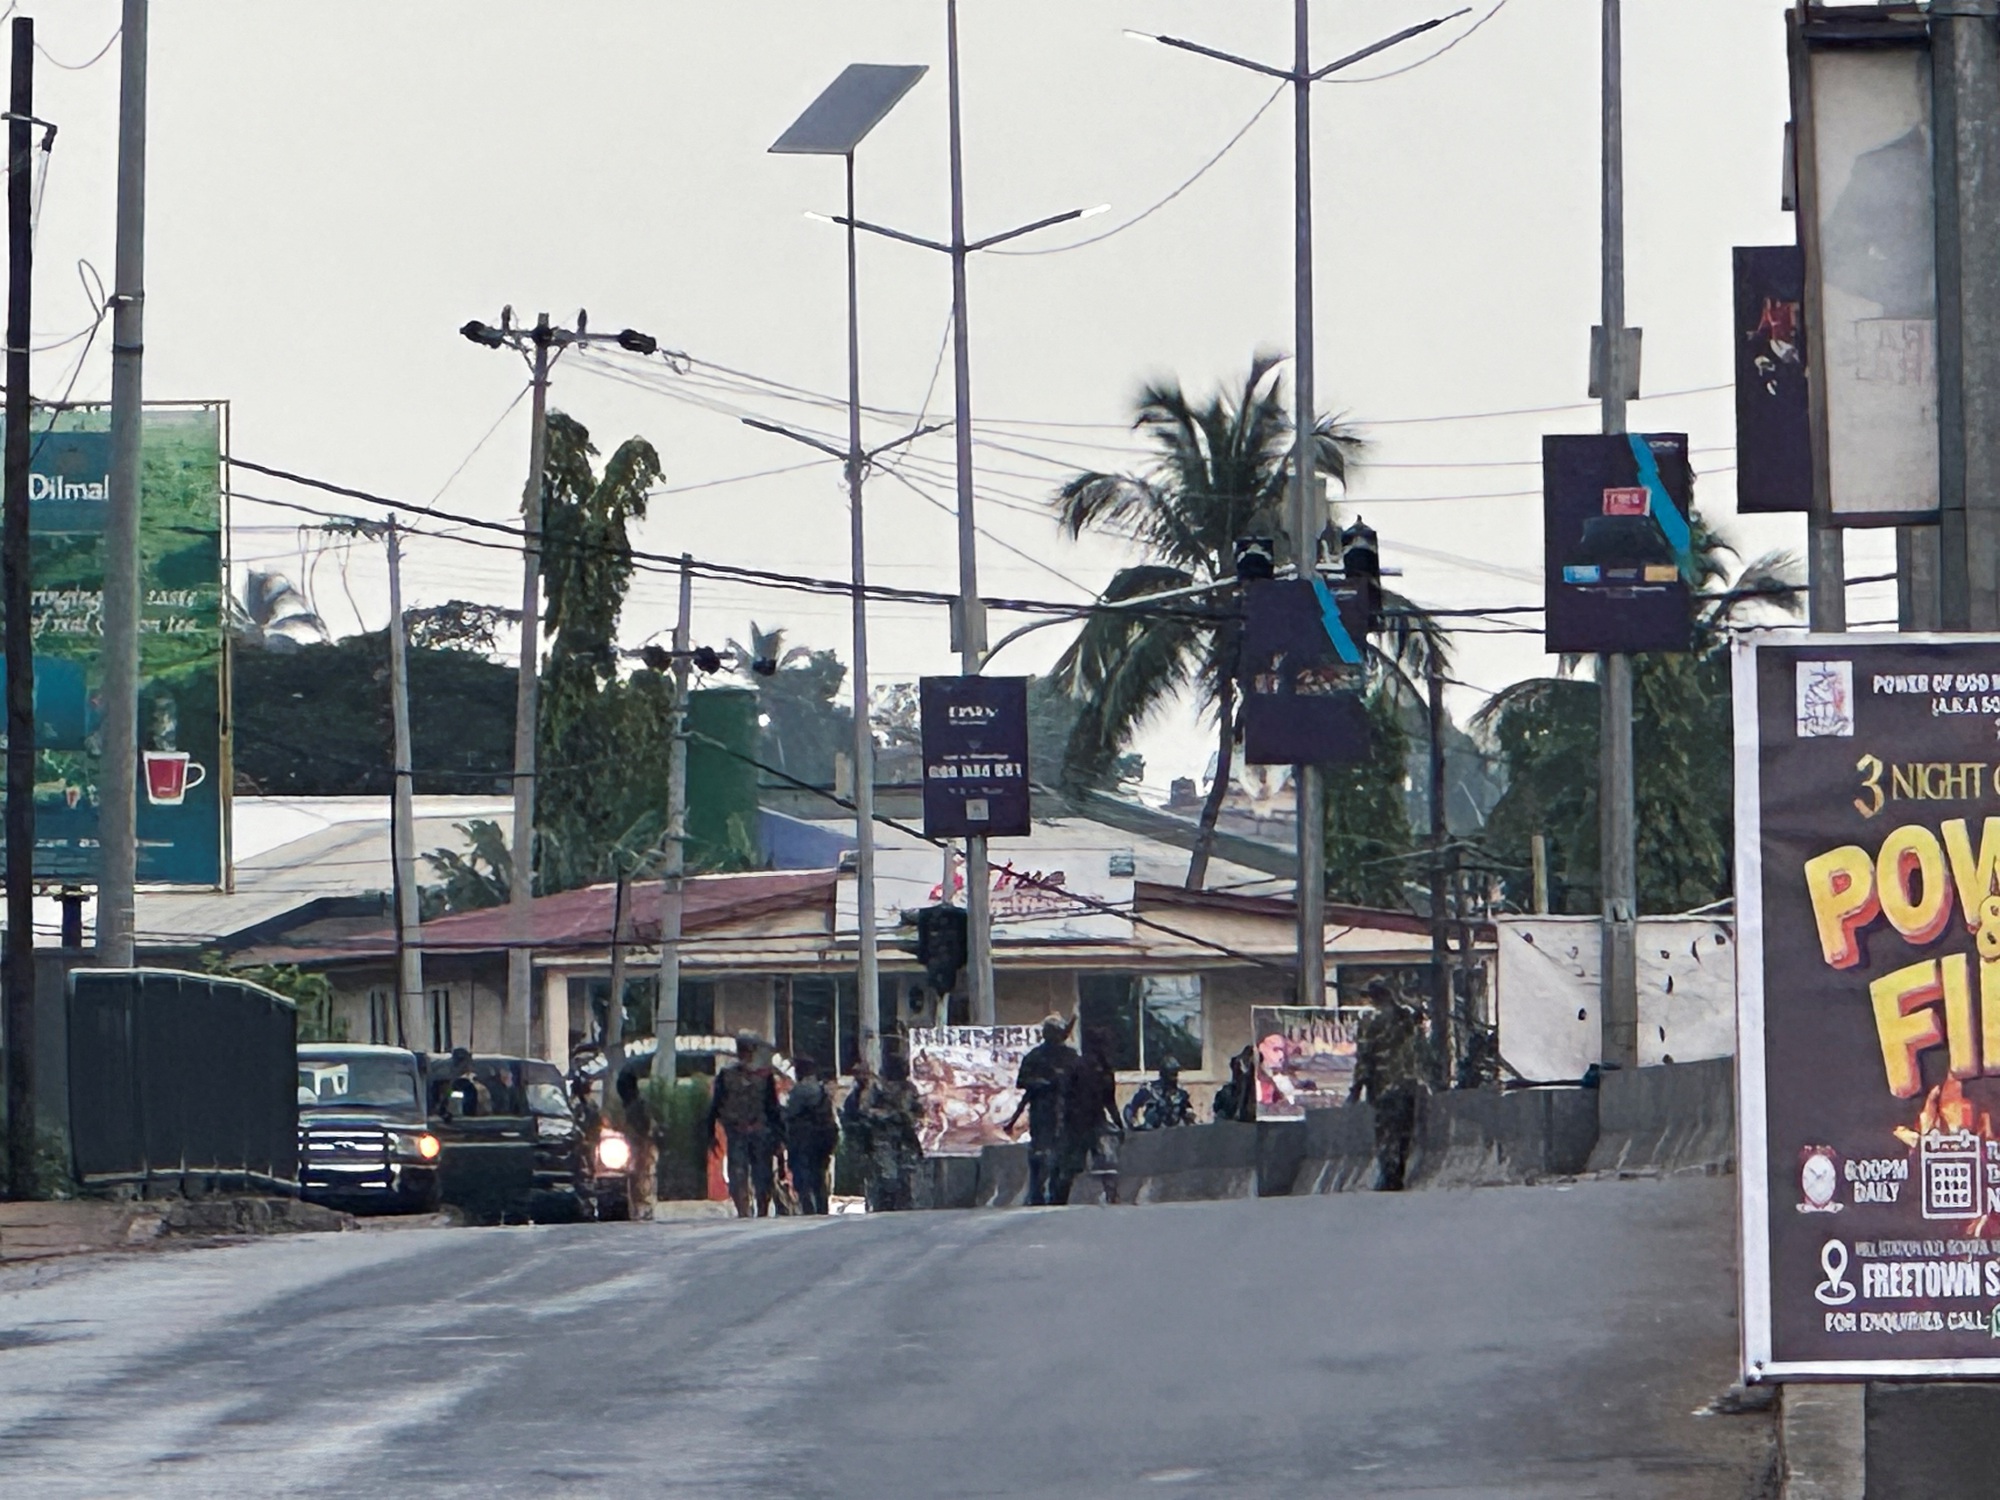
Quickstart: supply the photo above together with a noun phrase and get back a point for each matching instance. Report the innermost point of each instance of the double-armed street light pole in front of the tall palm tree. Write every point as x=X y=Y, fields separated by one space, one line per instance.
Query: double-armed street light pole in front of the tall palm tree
x=1307 y=781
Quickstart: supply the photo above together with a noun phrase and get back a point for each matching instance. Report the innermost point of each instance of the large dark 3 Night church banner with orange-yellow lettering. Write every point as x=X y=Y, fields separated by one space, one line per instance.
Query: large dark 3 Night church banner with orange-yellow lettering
x=1869 y=1005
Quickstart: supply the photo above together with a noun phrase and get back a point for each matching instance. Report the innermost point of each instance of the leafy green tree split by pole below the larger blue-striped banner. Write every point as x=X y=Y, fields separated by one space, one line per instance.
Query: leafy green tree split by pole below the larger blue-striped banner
x=1545 y=733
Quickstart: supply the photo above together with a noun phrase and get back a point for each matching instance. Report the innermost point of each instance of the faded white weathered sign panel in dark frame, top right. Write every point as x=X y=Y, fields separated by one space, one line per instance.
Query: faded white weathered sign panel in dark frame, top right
x=1867 y=225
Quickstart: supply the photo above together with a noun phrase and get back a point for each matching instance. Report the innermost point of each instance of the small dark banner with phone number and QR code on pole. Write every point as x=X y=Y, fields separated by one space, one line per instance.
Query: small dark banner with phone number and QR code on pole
x=975 y=757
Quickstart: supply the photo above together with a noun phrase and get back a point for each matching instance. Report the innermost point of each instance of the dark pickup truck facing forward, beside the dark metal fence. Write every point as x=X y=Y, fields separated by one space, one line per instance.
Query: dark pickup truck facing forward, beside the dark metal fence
x=365 y=1139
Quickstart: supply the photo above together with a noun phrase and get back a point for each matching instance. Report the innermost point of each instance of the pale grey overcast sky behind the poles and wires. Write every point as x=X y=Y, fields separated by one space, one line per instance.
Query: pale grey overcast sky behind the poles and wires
x=337 y=189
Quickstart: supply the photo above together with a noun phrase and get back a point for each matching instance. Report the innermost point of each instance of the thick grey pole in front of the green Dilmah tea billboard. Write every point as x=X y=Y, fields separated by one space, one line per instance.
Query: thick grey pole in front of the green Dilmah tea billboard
x=119 y=765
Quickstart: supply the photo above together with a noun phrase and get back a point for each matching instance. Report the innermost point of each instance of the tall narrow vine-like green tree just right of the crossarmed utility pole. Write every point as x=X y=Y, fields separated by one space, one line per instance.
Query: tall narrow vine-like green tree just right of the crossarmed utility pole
x=605 y=739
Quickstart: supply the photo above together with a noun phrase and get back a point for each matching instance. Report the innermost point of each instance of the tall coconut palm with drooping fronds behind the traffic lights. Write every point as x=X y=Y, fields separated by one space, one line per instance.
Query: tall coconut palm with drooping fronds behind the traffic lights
x=1221 y=471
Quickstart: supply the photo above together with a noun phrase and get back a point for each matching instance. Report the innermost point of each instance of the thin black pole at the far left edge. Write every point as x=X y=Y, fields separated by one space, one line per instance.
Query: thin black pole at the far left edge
x=17 y=583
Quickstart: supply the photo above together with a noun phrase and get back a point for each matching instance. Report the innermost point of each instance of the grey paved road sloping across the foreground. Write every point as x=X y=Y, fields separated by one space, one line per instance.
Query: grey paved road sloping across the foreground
x=1503 y=1343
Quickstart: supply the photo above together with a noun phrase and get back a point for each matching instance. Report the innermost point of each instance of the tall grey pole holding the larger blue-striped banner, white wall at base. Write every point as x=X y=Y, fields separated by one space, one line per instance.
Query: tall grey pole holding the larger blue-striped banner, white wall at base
x=1617 y=817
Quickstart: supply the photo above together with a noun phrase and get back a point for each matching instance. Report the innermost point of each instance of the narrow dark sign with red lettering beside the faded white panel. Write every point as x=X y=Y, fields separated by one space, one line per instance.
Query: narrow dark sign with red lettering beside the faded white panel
x=1773 y=419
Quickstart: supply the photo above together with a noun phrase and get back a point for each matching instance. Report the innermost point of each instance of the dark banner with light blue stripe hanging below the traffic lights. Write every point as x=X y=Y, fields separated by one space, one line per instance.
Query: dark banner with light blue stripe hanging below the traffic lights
x=1303 y=665
